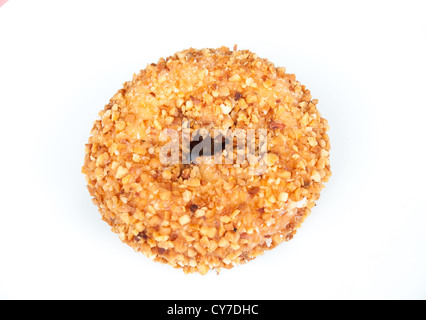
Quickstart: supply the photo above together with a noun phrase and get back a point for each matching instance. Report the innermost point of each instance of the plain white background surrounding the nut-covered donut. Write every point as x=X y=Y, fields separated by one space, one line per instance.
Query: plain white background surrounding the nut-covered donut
x=61 y=61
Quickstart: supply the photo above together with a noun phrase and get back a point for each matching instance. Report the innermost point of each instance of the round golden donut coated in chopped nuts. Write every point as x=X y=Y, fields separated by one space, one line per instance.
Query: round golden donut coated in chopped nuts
x=203 y=215
